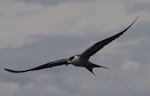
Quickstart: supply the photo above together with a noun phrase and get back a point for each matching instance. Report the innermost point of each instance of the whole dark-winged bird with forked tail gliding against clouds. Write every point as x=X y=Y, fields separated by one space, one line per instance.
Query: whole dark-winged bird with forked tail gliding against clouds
x=80 y=60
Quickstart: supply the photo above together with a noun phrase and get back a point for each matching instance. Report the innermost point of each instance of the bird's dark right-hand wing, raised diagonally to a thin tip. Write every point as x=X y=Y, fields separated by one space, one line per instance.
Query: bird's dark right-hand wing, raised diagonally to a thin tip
x=99 y=45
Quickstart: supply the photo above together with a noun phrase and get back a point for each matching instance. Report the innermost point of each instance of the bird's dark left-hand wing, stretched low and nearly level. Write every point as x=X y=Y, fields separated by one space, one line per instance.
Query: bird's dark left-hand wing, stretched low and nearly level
x=47 y=65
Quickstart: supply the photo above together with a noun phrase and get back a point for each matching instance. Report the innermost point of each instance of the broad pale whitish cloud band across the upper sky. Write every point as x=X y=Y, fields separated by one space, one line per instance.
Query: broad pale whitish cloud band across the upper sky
x=20 y=21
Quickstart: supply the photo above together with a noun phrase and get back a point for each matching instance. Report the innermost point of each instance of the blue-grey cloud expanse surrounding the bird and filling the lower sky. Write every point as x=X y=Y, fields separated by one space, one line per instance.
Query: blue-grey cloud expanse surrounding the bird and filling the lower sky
x=68 y=80
